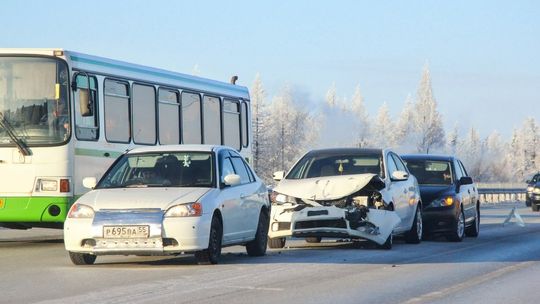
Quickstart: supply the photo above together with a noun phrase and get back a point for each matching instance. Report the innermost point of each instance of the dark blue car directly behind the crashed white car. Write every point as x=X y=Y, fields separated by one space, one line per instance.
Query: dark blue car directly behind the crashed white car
x=450 y=199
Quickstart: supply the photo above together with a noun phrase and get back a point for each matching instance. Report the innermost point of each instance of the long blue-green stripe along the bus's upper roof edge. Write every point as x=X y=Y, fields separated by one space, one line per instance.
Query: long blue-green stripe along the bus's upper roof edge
x=156 y=73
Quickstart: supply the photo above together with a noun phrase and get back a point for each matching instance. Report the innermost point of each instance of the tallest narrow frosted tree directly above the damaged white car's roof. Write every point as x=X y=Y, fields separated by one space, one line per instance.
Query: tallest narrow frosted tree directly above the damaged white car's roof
x=360 y=118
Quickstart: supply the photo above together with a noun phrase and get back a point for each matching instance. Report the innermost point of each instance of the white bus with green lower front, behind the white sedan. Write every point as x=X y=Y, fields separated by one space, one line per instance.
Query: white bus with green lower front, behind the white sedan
x=66 y=115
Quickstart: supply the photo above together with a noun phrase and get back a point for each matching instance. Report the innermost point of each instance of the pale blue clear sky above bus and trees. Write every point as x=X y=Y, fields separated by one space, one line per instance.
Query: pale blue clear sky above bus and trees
x=484 y=56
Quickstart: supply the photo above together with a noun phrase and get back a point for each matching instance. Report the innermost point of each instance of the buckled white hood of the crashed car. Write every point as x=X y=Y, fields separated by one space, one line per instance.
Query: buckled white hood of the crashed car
x=328 y=187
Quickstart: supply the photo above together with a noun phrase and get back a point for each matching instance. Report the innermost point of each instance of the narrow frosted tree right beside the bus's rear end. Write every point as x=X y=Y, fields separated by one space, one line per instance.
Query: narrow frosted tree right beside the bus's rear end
x=260 y=123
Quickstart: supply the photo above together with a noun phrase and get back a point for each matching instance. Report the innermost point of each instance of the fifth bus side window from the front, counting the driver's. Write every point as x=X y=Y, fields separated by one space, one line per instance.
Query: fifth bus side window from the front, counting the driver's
x=191 y=118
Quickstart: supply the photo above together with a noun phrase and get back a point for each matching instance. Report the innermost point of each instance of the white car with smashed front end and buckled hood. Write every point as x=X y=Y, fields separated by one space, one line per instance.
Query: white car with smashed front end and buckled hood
x=346 y=193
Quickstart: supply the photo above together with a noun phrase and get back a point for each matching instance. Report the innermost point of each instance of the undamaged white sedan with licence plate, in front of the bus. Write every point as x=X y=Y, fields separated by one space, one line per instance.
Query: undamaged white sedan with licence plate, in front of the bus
x=168 y=200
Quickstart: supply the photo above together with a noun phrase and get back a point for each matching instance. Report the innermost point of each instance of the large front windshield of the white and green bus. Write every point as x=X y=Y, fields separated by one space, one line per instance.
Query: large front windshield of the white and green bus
x=34 y=105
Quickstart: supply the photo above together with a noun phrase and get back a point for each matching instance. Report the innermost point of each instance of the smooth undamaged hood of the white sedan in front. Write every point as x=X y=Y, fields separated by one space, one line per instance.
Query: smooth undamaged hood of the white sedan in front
x=135 y=198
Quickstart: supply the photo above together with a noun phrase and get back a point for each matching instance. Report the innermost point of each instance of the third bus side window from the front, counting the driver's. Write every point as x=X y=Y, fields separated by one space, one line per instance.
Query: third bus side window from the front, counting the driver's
x=144 y=114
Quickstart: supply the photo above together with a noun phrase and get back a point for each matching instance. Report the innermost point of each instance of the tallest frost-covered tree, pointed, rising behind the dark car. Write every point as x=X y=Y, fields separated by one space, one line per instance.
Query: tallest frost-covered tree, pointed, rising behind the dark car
x=428 y=122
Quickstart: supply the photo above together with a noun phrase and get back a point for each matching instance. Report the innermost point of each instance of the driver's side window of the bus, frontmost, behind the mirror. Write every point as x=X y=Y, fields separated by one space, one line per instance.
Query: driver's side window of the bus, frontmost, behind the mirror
x=86 y=108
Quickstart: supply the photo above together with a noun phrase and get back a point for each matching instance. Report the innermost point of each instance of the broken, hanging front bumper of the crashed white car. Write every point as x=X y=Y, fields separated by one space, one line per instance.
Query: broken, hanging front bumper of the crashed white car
x=330 y=221
